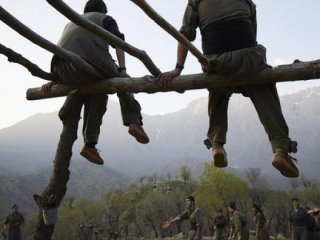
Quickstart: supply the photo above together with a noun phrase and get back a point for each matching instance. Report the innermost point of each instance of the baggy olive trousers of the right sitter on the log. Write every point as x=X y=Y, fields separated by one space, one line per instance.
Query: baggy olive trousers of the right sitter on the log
x=263 y=96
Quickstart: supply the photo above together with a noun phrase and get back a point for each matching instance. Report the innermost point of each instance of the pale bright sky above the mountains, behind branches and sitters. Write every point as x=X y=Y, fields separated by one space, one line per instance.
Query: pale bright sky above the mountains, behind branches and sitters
x=289 y=29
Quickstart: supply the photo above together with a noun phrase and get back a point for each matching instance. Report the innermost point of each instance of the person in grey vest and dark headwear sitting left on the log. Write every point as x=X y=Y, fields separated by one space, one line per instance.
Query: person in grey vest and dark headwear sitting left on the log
x=95 y=51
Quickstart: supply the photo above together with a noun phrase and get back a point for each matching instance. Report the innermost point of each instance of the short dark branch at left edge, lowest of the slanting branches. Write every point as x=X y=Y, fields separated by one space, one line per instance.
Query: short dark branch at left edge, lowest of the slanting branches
x=32 y=68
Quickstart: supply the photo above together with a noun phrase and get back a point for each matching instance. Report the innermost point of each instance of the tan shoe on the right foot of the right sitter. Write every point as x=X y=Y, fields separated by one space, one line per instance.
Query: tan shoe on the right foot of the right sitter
x=284 y=163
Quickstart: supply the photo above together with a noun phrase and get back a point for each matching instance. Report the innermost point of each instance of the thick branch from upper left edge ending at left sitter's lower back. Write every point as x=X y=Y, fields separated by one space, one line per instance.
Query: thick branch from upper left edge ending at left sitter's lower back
x=23 y=30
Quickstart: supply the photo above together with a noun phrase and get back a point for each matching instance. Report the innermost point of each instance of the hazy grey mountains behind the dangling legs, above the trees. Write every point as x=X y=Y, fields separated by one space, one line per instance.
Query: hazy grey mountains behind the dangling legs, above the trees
x=27 y=148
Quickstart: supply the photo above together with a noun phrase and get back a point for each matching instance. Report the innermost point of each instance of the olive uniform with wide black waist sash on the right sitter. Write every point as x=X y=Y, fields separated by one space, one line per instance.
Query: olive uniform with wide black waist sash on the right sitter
x=228 y=30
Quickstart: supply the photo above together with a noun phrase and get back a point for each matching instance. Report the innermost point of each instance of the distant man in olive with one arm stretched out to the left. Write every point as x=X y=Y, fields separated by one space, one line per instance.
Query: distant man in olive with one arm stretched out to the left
x=195 y=217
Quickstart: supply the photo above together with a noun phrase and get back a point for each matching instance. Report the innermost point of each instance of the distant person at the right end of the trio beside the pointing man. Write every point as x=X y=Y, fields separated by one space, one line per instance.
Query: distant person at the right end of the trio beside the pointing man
x=260 y=223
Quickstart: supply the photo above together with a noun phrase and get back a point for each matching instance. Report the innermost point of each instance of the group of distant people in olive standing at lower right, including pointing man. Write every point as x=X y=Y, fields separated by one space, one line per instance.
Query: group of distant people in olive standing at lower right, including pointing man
x=303 y=223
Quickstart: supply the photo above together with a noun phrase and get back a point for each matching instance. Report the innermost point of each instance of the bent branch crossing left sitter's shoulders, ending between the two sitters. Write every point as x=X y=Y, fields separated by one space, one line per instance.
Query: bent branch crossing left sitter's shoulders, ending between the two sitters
x=110 y=38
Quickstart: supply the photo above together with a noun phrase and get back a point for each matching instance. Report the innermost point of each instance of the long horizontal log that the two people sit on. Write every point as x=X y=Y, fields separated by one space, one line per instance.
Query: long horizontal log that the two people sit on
x=282 y=73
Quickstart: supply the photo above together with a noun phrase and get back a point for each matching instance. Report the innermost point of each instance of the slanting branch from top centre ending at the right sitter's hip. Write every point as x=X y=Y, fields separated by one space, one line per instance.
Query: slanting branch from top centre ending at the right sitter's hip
x=171 y=30
